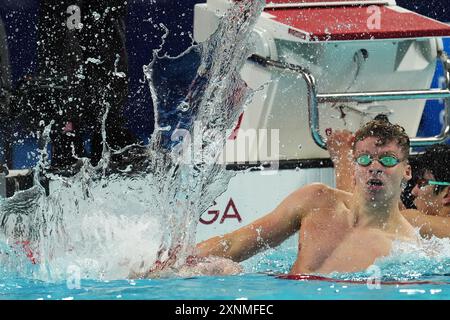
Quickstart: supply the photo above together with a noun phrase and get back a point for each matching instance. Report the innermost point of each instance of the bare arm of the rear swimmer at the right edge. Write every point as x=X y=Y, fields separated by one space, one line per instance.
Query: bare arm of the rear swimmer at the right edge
x=428 y=225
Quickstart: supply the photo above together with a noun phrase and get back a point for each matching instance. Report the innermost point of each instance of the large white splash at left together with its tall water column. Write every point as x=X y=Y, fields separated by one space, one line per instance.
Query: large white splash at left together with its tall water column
x=111 y=226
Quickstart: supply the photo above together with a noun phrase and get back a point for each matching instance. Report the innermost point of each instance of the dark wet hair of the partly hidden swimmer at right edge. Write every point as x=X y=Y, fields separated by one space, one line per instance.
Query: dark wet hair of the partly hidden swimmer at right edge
x=436 y=159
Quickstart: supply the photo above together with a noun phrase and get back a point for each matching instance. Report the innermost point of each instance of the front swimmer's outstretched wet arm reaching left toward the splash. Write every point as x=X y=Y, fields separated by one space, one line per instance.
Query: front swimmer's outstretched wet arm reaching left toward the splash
x=268 y=231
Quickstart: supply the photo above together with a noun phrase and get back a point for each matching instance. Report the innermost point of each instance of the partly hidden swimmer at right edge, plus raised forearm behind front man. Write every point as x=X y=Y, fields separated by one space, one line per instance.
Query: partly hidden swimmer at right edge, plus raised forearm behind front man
x=431 y=191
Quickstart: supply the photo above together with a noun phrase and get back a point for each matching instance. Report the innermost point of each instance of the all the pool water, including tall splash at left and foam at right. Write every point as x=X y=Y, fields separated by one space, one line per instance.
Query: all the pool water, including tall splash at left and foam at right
x=105 y=227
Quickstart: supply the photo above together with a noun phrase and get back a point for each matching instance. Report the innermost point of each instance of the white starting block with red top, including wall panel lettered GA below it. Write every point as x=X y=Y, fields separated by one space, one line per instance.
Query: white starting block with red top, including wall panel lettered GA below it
x=321 y=64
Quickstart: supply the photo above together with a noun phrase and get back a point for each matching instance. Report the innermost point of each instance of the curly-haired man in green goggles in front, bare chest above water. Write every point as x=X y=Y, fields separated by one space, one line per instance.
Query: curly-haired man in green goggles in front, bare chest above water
x=339 y=231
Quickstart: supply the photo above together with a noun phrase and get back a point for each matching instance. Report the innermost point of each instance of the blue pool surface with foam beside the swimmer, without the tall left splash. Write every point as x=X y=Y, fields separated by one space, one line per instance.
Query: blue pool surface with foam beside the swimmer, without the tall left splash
x=400 y=278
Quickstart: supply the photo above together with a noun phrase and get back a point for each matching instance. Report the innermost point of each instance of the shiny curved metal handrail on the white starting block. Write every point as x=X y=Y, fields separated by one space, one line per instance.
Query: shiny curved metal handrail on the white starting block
x=314 y=99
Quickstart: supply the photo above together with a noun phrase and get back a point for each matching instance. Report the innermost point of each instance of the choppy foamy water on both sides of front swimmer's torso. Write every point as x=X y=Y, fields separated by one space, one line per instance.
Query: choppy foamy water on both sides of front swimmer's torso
x=429 y=258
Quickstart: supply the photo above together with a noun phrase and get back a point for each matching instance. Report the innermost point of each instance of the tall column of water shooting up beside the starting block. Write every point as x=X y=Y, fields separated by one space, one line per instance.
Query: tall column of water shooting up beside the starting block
x=213 y=104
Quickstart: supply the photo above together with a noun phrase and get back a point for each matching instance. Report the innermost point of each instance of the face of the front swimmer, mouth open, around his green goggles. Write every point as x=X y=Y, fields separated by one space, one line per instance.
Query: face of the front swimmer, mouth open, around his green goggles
x=376 y=181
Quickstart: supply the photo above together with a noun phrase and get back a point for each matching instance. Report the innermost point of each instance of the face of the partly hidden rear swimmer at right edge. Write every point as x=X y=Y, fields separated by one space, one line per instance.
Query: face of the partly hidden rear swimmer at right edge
x=426 y=200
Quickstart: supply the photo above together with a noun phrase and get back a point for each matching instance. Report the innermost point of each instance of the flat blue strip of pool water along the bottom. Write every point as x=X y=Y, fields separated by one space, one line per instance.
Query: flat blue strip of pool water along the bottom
x=240 y=287
